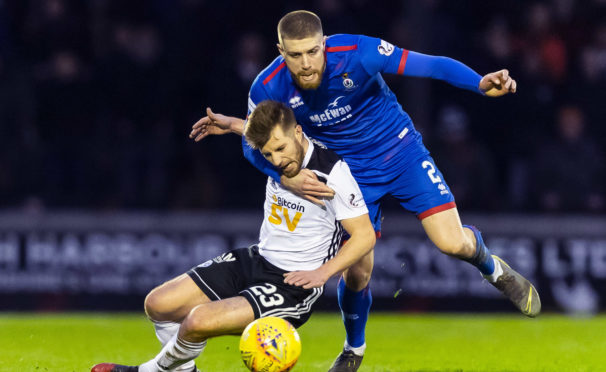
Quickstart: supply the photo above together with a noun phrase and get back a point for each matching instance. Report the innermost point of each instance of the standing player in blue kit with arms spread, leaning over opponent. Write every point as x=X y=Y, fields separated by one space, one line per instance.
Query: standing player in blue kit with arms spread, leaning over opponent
x=335 y=87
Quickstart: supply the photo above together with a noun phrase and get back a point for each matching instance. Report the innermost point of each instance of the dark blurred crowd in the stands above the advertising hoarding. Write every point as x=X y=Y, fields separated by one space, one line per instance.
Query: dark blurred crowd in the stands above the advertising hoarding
x=97 y=99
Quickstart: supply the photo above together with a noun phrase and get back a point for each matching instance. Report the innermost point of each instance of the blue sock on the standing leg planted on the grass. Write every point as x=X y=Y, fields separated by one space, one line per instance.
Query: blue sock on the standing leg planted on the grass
x=354 y=310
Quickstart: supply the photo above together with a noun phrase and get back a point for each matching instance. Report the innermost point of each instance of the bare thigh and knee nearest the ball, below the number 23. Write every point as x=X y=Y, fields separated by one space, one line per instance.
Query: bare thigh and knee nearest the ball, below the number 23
x=224 y=317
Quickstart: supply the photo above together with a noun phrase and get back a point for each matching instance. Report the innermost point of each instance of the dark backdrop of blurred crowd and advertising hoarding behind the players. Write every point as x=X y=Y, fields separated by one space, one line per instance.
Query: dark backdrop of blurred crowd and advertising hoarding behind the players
x=103 y=195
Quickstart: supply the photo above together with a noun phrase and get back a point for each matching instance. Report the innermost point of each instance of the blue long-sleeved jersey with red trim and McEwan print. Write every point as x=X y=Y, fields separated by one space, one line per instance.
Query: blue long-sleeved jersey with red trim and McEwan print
x=353 y=111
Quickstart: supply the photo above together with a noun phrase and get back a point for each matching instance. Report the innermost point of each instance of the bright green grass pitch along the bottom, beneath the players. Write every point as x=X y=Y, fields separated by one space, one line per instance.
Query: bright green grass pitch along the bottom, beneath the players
x=396 y=342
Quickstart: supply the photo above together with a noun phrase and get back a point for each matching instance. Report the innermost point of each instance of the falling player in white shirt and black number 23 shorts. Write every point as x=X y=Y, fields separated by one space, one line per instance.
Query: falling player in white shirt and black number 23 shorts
x=284 y=274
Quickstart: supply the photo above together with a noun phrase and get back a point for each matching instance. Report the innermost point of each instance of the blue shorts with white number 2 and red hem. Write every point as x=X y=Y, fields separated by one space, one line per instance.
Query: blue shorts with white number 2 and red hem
x=420 y=188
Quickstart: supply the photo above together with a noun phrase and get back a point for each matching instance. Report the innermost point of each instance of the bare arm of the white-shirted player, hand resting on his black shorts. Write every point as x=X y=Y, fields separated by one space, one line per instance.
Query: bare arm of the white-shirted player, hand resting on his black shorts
x=361 y=242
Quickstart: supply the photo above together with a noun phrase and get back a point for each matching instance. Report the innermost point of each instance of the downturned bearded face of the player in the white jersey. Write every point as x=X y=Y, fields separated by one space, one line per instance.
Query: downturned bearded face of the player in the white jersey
x=285 y=150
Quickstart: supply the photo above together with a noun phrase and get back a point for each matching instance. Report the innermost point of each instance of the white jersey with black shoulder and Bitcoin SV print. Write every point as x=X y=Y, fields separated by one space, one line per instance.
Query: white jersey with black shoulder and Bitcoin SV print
x=299 y=235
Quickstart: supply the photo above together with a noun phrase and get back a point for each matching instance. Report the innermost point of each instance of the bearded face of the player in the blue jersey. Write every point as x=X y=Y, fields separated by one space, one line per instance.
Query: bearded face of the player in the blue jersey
x=305 y=60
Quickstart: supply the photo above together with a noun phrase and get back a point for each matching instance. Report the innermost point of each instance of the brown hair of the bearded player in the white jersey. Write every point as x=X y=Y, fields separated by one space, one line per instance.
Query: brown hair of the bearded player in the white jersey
x=266 y=116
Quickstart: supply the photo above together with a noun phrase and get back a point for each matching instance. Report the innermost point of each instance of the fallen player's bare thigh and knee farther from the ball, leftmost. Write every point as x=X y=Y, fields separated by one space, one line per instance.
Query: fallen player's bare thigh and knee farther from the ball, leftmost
x=174 y=299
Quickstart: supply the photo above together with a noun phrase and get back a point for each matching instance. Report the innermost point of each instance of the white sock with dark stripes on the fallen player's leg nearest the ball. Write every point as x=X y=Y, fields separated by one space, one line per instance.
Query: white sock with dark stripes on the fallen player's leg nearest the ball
x=174 y=355
